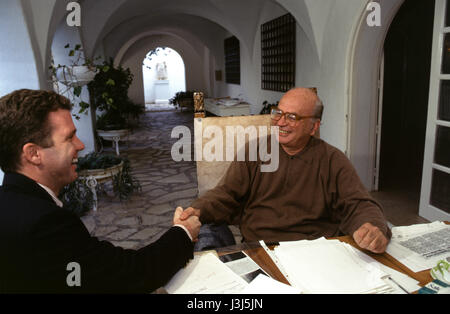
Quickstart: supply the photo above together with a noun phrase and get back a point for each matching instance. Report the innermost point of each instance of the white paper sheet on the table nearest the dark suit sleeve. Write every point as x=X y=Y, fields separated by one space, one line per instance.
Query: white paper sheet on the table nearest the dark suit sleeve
x=205 y=274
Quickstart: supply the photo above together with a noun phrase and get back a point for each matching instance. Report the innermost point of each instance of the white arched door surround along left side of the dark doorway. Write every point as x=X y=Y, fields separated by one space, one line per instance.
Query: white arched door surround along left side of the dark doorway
x=365 y=55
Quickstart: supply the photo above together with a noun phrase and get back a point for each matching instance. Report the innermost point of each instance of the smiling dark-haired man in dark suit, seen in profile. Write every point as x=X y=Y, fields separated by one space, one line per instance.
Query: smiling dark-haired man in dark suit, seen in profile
x=46 y=248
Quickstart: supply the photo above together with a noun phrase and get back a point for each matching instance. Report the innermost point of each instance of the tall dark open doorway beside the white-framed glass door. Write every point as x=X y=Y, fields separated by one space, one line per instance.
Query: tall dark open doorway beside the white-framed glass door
x=407 y=63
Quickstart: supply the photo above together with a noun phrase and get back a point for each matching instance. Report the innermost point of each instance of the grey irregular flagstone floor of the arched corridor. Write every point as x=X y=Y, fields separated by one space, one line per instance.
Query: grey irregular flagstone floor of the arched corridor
x=167 y=184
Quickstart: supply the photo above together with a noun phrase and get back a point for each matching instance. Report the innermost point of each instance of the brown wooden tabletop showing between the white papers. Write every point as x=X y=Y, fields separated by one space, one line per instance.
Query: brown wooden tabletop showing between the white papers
x=259 y=255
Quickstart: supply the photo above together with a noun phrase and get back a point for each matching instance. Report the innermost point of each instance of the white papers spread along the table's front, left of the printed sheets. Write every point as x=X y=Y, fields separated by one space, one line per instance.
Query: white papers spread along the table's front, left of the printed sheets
x=319 y=266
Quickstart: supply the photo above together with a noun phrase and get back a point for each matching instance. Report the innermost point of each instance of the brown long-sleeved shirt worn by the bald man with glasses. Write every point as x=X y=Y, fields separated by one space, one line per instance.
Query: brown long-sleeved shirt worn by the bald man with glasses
x=312 y=194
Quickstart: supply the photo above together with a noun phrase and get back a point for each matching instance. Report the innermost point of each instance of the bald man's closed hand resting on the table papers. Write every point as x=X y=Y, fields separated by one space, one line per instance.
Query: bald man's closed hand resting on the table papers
x=370 y=238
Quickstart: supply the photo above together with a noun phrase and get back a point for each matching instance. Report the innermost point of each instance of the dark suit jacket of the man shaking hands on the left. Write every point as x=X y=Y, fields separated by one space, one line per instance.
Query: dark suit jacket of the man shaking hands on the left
x=38 y=240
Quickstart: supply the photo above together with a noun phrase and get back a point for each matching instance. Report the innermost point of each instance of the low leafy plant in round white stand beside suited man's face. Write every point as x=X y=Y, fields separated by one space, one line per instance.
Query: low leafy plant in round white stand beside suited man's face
x=94 y=168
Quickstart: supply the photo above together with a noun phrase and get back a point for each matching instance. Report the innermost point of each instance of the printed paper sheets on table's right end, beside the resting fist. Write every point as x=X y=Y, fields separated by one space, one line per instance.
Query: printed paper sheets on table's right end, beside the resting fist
x=420 y=247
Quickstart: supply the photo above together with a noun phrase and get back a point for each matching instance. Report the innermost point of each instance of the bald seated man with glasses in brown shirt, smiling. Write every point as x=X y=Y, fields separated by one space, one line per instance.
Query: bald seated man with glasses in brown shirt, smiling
x=314 y=193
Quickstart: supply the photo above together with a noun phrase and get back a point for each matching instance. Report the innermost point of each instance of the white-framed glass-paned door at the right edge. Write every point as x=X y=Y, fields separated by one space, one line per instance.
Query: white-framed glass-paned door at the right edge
x=435 y=192
